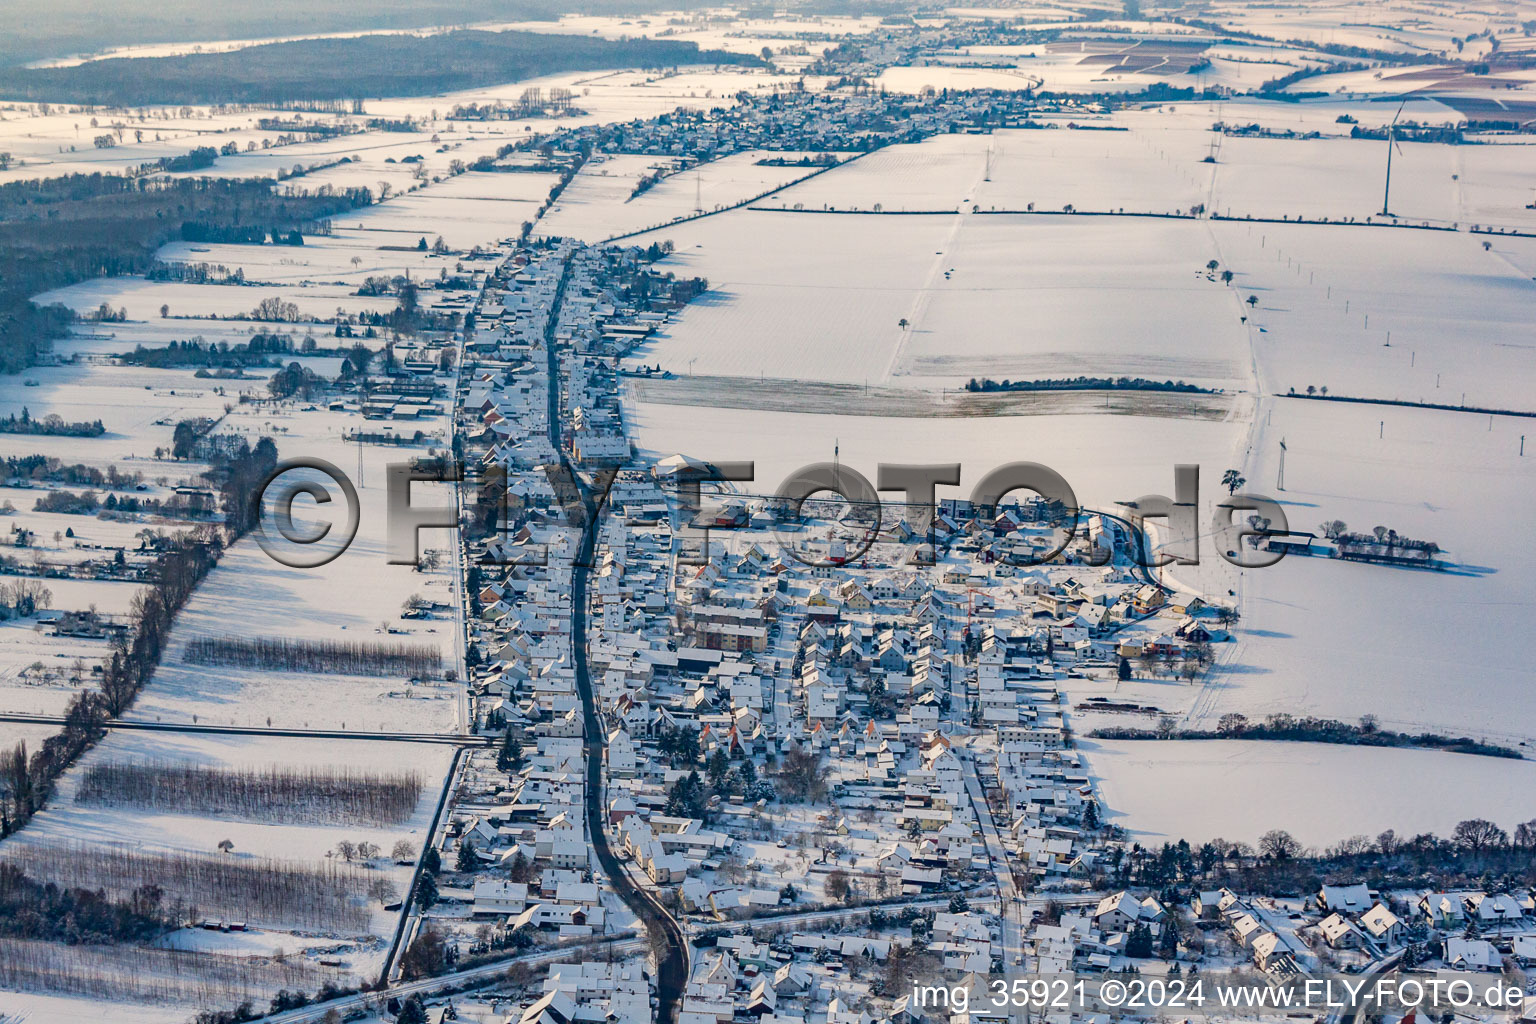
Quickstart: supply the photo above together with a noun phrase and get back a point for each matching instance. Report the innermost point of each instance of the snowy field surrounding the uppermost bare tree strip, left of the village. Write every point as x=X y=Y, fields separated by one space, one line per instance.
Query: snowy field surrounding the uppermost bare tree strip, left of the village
x=351 y=600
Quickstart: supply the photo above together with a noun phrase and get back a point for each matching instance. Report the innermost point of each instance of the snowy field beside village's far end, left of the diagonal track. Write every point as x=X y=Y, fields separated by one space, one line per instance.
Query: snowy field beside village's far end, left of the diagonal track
x=796 y=296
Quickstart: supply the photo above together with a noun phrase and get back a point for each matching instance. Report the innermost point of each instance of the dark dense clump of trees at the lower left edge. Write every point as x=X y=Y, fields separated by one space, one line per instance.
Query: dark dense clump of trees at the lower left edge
x=33 y=910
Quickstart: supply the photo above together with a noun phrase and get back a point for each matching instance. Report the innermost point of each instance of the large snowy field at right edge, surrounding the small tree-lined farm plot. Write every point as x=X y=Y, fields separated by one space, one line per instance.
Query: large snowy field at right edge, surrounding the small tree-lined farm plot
x=1417 y=649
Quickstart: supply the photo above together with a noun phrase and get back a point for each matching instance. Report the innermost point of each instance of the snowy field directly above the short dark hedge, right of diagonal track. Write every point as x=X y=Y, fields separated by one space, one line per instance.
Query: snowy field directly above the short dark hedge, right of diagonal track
x=1059 y=297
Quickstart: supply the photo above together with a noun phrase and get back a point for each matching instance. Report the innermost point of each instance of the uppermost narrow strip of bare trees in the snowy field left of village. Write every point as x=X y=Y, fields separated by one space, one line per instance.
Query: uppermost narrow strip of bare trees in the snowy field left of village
x=283 y=655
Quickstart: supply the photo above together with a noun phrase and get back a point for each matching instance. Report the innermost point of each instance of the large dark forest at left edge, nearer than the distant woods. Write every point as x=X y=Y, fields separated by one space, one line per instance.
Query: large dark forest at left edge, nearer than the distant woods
x=76 y=228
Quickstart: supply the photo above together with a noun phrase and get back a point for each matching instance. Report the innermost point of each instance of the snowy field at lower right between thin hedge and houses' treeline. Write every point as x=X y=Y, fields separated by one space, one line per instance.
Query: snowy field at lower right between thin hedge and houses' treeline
x=1164 y=791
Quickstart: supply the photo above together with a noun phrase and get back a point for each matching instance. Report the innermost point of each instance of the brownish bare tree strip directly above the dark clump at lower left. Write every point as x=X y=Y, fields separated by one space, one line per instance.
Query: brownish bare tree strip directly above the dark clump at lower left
x=322 y=896
